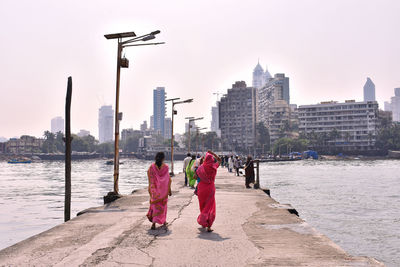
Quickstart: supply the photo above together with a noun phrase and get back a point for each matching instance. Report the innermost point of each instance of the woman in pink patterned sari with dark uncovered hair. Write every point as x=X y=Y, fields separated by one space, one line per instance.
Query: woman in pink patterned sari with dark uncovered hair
x=159 y=189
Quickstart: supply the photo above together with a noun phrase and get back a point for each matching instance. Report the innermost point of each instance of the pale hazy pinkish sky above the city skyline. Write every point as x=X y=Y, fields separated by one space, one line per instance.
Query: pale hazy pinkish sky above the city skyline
x=327 y=48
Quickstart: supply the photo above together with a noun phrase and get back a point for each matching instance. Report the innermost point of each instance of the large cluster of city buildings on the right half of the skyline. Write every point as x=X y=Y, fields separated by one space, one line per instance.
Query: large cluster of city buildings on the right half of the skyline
x=267 y=101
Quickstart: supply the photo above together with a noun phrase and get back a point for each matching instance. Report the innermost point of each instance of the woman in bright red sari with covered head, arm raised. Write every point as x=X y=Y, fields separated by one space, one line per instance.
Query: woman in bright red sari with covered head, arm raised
x=206 y=189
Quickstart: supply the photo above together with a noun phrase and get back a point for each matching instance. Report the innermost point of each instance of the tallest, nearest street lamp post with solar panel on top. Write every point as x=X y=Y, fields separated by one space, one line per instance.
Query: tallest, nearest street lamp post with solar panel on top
x=123 y=63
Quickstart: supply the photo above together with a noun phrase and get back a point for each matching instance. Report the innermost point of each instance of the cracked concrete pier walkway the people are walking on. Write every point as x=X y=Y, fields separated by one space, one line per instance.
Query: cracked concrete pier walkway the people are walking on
x=250 y=229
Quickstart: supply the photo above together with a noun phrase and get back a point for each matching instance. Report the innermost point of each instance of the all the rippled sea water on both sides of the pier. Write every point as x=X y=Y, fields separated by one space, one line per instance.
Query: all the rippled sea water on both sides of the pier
x=355 y=203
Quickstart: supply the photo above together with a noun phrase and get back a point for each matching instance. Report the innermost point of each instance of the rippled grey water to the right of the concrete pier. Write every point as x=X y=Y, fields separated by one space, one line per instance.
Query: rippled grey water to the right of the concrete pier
x=355 y=203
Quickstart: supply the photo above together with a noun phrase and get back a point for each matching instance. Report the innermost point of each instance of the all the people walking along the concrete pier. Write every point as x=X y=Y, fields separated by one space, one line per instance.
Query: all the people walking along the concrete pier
x=200 y=170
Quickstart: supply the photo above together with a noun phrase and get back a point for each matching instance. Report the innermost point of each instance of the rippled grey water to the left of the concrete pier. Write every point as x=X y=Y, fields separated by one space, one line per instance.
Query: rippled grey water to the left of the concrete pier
x=32 y=195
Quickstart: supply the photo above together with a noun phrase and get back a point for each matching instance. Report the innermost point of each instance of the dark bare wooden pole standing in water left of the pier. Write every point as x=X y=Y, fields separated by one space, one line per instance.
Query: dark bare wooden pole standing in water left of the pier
x=67 y=204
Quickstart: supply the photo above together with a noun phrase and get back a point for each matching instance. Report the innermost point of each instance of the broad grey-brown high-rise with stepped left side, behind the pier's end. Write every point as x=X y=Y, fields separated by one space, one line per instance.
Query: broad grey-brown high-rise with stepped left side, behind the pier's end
x=237 y=117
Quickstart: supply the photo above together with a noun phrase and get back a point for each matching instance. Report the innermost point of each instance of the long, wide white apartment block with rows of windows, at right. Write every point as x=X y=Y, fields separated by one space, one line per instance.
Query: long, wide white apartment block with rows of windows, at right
x=355 y=122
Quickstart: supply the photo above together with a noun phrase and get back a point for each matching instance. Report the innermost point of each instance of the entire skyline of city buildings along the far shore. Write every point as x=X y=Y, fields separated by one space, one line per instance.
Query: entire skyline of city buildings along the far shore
x=348 y=126
